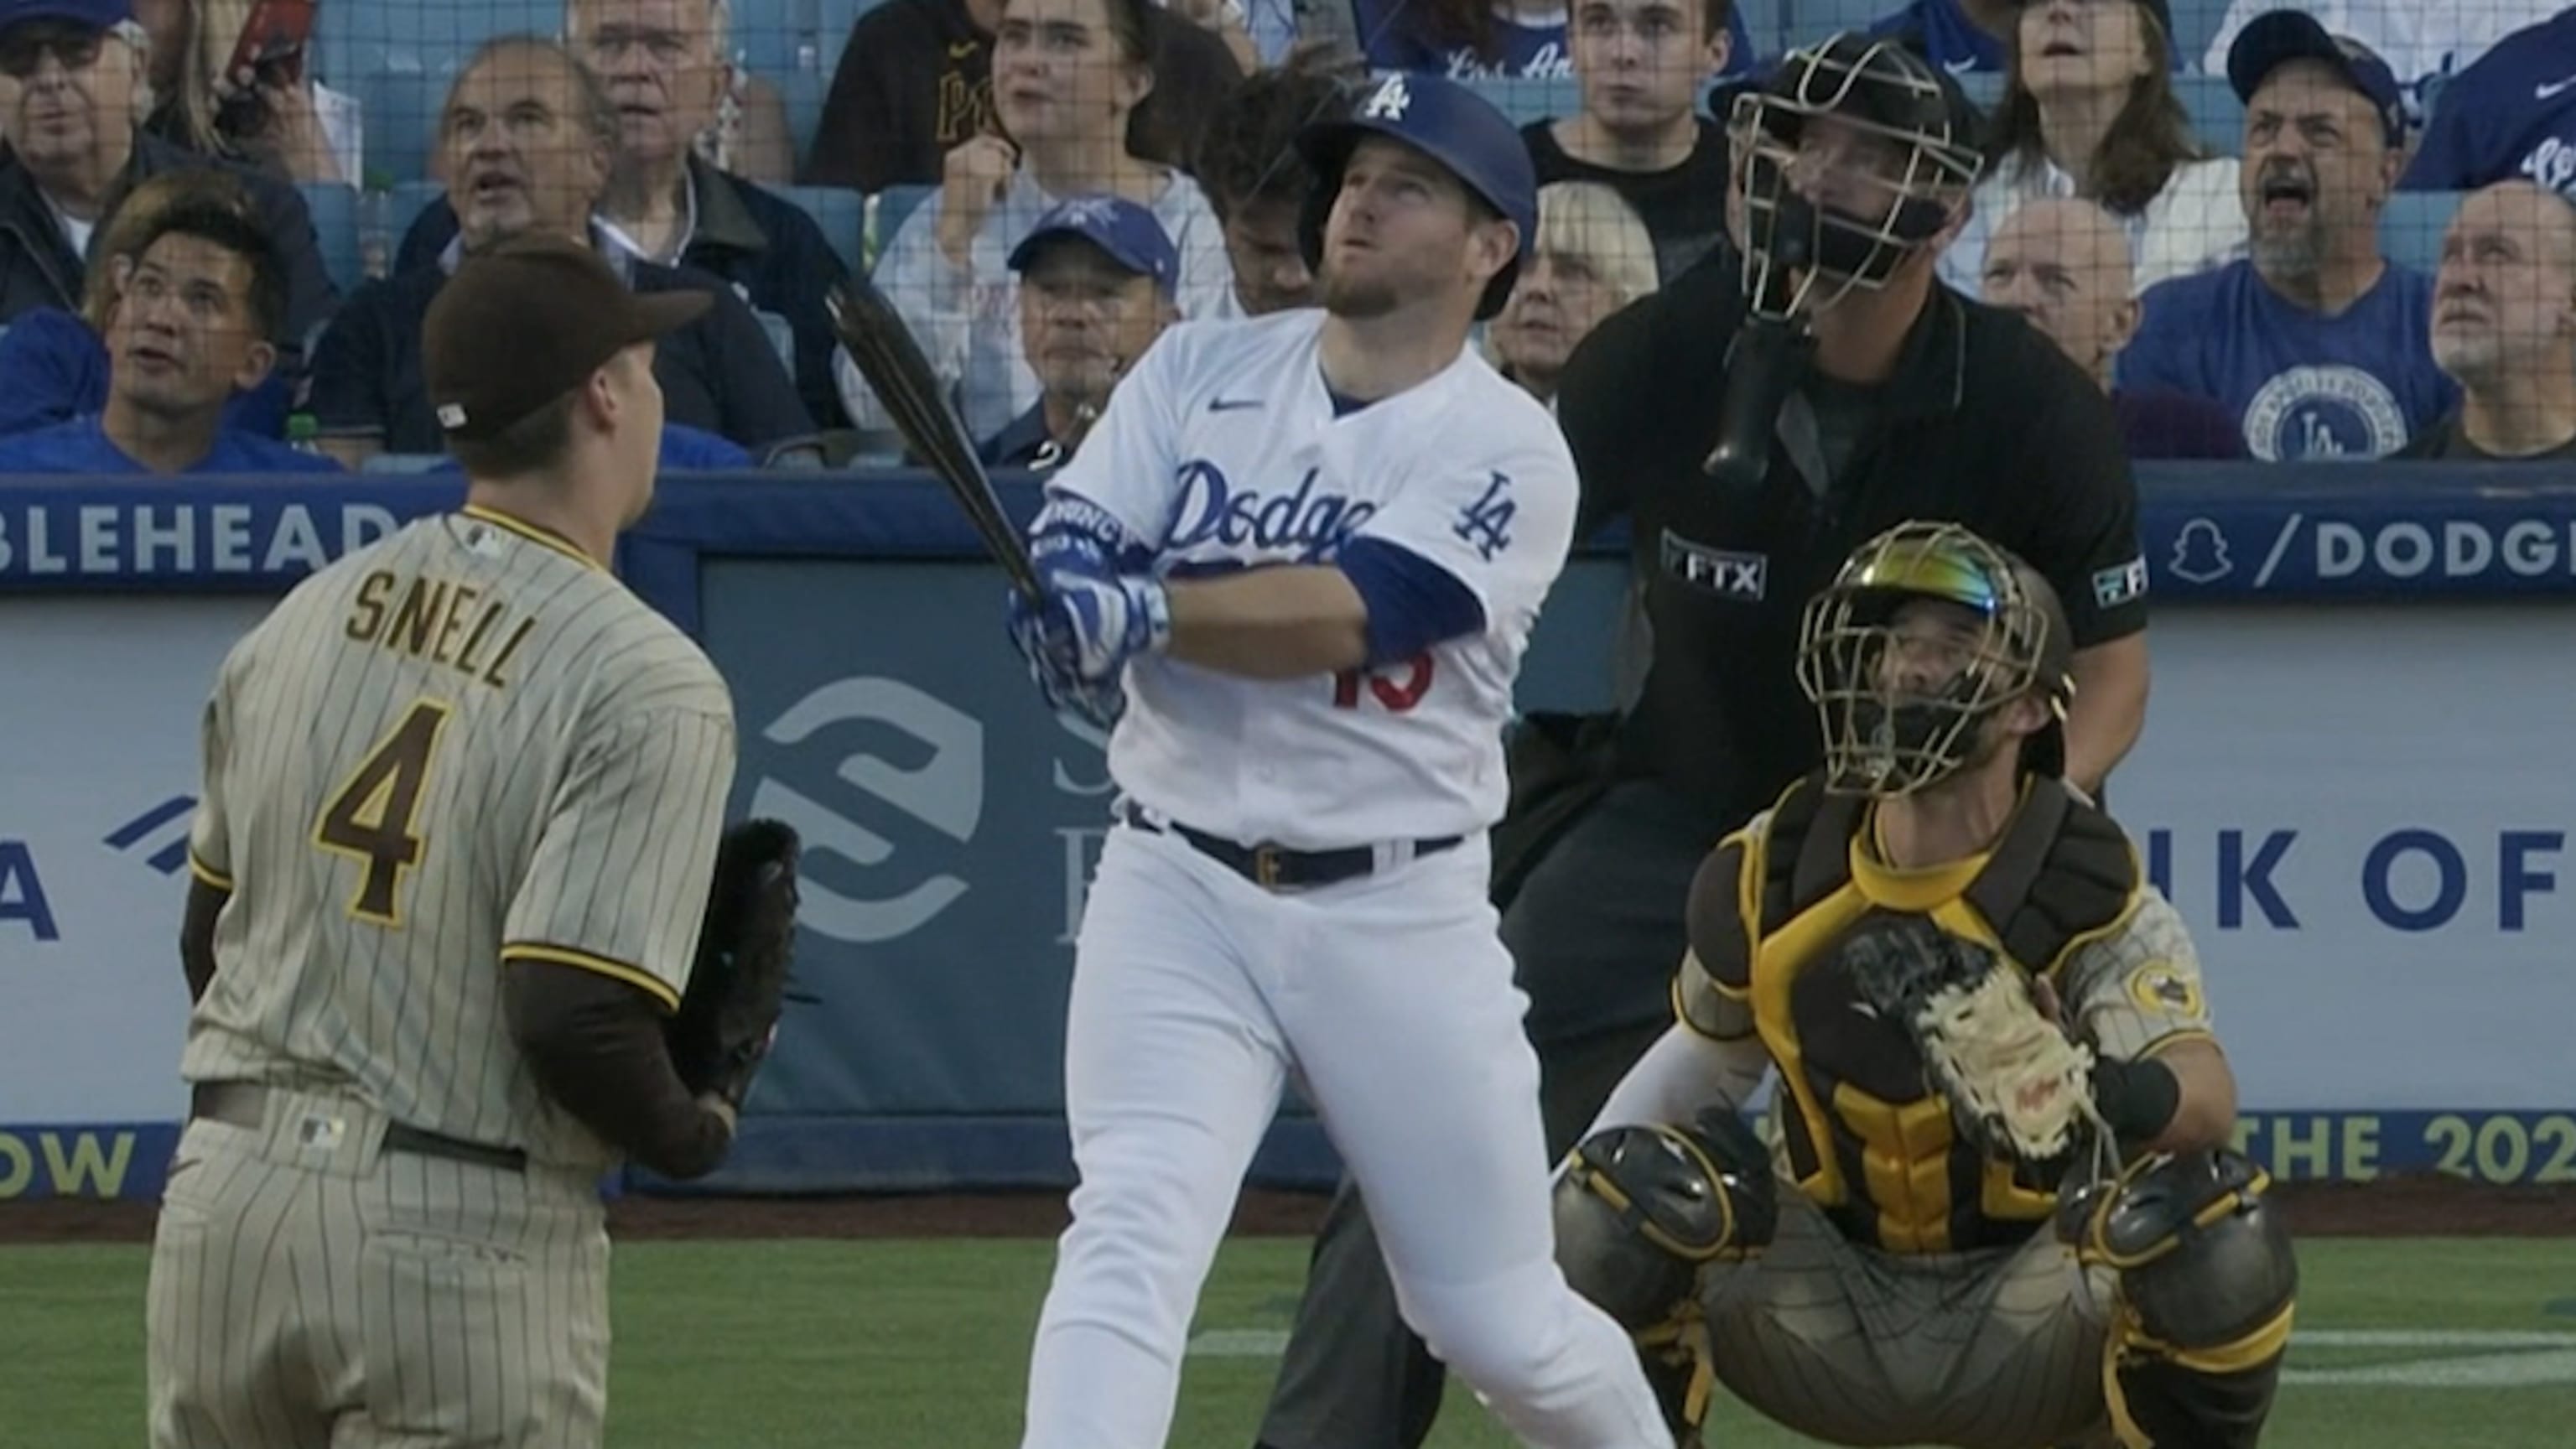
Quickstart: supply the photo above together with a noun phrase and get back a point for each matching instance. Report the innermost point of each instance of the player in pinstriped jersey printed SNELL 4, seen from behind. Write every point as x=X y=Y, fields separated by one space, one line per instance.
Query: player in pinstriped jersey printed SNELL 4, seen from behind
x=457 y=831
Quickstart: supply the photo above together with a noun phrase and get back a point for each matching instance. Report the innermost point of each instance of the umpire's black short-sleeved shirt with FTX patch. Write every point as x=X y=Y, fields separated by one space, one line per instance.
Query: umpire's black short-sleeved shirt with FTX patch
x=1982 y=424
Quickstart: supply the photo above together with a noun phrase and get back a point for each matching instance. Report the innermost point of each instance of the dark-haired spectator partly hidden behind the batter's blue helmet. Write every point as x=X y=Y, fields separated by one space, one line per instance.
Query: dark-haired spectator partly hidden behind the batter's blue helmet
x=1256 y=179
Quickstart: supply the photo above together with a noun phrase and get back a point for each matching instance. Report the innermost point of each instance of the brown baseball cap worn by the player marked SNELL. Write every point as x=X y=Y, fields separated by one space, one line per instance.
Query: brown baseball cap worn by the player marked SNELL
x=527 y=324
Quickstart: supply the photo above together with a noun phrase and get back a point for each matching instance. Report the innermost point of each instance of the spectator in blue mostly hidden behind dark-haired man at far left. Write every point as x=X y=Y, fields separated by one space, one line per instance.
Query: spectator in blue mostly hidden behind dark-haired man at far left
x=55 y=365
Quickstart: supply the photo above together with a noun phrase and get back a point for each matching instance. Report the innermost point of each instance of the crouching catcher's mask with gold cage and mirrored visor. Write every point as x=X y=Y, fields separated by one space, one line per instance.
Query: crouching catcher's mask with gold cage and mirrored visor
x=1905 y=708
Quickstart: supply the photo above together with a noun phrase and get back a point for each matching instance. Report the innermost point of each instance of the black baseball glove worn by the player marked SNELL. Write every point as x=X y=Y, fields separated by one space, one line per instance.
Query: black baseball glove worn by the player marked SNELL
x=741 y=978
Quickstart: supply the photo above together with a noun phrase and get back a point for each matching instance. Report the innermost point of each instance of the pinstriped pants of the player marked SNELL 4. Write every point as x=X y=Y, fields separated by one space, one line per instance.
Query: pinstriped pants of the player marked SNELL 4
x=316 y=1293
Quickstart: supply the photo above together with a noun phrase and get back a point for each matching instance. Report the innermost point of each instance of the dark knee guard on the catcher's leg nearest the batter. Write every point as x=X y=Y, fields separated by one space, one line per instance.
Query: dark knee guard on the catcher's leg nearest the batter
x=1640 y=1211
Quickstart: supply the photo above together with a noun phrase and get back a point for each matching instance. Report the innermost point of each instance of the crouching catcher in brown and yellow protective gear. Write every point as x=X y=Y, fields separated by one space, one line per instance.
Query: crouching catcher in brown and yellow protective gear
x=2000 y=1211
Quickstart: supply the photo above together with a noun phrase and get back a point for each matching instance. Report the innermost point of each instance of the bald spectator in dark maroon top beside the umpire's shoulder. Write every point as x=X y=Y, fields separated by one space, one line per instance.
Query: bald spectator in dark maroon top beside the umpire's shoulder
x=2065 y=267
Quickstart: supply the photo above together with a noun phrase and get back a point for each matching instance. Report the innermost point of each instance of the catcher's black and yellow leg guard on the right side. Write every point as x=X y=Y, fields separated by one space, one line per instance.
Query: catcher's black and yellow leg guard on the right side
x=2206 y=1298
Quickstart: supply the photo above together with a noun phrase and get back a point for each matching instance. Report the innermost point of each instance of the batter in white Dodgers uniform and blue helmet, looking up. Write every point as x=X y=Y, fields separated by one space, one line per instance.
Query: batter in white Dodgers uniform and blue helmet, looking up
x=1305 y=553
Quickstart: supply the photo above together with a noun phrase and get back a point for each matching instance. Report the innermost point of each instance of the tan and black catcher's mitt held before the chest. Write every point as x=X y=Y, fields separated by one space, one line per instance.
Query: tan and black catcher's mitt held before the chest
x=2016 y=1082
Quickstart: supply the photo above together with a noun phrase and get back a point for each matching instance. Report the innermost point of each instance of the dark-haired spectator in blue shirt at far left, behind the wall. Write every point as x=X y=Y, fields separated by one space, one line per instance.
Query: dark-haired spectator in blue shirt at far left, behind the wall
x=194 y=329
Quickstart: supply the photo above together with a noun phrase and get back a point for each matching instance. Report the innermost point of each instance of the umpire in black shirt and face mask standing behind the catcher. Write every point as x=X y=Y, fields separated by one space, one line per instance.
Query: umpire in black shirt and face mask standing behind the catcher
x=1859 y=393
